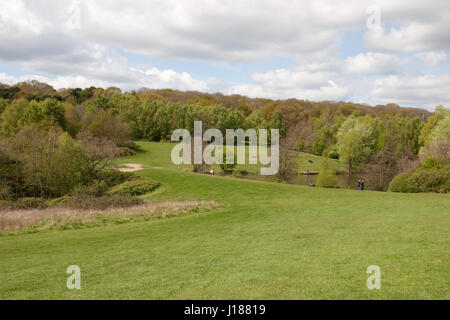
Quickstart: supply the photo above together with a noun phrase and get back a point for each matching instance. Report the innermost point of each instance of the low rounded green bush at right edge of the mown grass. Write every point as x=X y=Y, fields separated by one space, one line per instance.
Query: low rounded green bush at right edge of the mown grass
x=422 y=180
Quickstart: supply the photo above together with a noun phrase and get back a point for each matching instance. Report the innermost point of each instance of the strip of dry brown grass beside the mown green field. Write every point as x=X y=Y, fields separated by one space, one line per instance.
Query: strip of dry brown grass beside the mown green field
x=41 y=219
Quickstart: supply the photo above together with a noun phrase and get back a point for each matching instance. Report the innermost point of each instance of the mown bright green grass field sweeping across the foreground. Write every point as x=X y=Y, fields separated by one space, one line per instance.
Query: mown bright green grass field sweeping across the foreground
x=265 y=241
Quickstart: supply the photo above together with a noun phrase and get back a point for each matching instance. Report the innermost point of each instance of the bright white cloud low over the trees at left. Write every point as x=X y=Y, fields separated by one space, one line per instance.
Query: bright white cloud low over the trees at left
x=101 y=67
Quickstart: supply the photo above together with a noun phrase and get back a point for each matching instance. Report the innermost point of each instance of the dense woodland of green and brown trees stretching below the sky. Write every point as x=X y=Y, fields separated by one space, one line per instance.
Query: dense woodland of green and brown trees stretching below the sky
x=53 y=143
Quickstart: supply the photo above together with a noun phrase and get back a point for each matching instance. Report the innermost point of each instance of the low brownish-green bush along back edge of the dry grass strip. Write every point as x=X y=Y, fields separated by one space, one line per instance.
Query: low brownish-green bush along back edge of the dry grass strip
x=87 y=202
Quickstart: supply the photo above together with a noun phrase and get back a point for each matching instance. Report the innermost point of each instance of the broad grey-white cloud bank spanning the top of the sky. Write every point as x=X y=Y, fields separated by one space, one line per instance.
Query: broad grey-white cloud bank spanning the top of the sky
x=224 y=30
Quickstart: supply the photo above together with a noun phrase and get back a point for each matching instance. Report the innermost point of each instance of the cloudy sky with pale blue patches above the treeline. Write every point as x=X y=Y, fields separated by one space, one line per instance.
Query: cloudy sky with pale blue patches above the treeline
x=373 y=52
